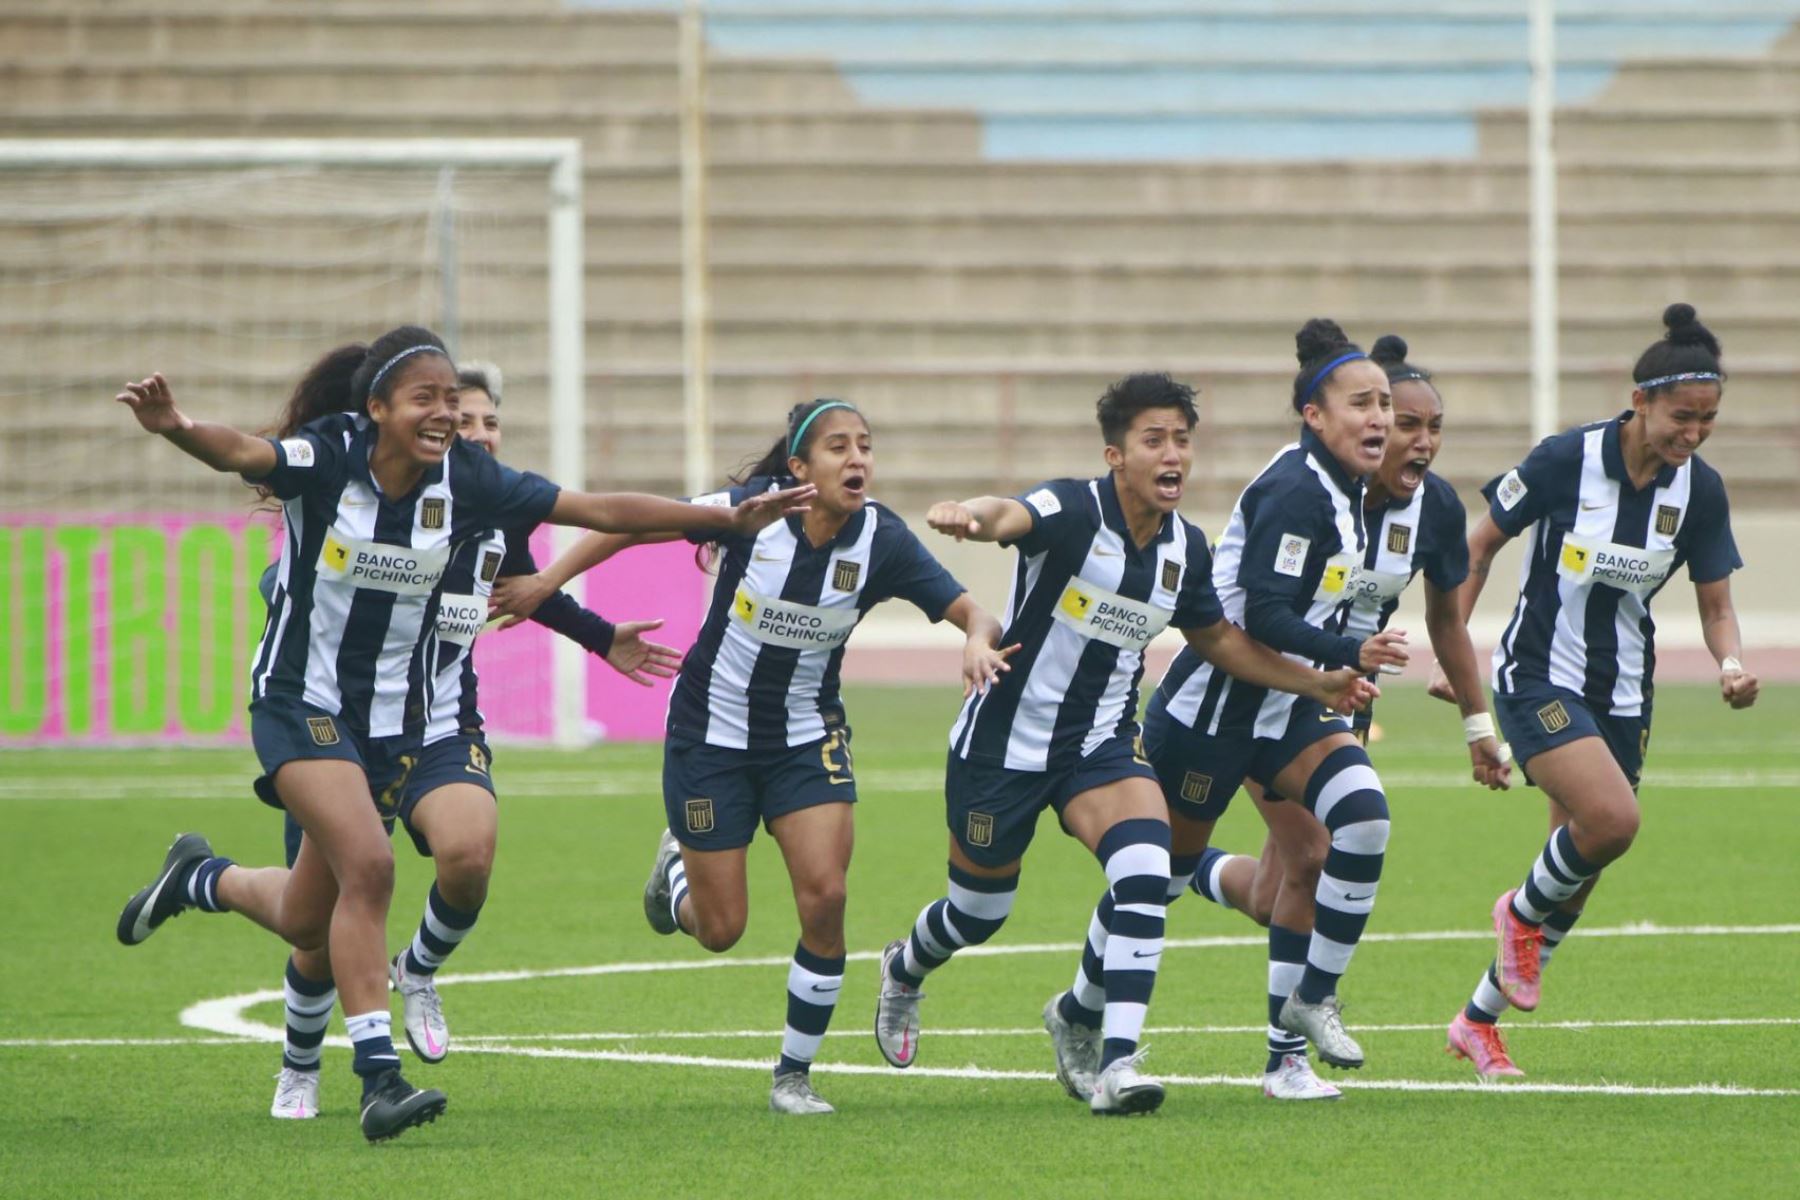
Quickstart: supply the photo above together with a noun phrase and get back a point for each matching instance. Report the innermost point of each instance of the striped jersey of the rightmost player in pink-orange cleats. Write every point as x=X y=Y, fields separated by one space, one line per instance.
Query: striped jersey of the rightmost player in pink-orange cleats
x=1596 y=555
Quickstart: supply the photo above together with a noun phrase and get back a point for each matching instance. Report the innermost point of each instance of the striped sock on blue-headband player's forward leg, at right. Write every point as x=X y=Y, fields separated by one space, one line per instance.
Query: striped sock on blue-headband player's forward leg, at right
x=1345 y=796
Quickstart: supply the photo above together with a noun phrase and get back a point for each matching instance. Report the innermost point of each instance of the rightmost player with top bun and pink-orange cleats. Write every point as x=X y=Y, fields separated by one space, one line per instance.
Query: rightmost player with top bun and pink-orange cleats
x=1612 y=512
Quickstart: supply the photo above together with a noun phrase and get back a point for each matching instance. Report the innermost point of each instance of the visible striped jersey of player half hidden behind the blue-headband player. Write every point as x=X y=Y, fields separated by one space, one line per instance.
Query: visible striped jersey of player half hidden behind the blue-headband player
x=1426 y=533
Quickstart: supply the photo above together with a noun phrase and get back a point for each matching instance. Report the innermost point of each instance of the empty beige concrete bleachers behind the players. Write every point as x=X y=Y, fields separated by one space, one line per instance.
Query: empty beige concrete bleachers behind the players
x=886 y=253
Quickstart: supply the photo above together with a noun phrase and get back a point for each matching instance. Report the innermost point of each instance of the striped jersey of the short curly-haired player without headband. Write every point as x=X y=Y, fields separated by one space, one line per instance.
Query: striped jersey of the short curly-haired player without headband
x=1084 y=605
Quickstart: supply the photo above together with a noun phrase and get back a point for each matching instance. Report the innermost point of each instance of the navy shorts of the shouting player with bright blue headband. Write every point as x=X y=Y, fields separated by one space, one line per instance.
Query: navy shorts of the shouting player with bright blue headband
x=1201 y=773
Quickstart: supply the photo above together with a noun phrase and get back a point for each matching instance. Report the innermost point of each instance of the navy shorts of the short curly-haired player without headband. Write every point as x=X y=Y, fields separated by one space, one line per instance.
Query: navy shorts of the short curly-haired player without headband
x=993 y=810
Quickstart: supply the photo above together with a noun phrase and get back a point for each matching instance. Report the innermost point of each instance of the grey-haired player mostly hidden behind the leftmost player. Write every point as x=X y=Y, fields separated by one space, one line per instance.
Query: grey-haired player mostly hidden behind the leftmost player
x=449 y=801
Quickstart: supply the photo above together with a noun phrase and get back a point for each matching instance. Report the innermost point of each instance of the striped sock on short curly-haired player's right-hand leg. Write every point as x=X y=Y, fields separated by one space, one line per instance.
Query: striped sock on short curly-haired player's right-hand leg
x=1137 y=861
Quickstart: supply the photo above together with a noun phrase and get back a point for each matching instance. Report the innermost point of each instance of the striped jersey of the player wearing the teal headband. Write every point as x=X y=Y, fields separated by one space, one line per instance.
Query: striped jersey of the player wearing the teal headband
x=764 y=670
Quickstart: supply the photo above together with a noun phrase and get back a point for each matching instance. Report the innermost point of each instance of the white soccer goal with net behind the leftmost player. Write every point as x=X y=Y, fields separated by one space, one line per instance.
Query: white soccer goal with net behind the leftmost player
x=89 y=292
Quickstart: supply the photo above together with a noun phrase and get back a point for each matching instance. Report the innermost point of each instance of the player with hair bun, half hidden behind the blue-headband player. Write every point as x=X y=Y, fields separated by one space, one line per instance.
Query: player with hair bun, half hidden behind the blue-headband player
x=1416 y=524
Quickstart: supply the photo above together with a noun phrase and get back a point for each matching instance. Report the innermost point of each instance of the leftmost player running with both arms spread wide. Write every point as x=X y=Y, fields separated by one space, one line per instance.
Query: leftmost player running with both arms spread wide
x=373 y=505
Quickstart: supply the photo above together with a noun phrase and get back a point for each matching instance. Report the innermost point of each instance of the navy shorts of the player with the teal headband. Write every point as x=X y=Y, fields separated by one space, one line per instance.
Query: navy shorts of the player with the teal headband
x=715 y=796
